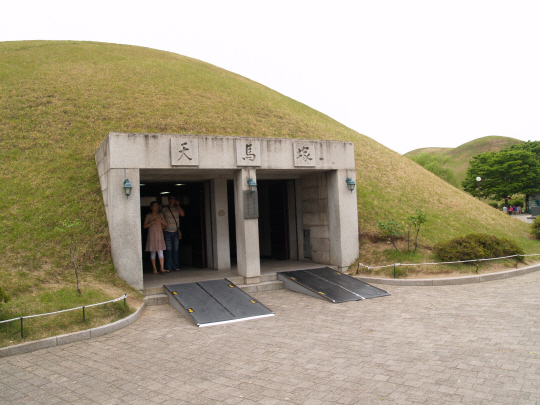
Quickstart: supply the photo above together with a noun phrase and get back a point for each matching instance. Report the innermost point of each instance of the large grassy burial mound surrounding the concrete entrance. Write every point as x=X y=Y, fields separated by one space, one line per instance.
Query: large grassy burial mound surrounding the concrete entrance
x=60 y=99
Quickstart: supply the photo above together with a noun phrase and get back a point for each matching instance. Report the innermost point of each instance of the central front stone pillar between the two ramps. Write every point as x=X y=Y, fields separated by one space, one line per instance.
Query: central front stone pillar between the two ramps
x=247 y=230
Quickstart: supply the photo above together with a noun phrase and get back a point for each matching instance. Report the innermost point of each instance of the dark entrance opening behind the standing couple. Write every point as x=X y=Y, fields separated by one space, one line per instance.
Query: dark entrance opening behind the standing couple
x=192 y=246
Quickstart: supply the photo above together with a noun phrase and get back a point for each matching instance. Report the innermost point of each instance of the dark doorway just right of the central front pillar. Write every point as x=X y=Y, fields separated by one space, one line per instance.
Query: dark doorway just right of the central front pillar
x=273 y=219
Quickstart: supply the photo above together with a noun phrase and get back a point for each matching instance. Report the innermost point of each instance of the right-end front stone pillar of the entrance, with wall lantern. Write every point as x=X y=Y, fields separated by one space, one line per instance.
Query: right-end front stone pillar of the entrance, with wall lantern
x=342 y=219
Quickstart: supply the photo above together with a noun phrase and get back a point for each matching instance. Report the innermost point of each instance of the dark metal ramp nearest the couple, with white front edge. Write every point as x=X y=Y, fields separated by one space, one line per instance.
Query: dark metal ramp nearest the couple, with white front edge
x=214 y=302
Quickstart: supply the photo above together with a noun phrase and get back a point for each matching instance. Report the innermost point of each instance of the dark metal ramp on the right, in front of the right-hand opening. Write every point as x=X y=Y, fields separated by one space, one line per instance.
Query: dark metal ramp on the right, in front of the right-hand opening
x=329 y=284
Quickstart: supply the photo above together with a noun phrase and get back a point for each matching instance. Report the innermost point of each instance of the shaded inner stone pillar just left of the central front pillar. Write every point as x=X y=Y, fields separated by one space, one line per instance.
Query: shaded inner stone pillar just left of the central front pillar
x=220 y=224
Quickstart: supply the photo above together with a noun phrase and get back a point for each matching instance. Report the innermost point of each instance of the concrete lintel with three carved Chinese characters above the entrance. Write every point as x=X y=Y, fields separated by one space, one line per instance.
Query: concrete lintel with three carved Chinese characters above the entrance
x=154 y=151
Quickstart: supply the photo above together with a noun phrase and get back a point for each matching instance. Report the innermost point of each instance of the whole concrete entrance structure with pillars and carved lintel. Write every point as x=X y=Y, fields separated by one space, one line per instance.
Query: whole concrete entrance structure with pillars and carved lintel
x=319 y=211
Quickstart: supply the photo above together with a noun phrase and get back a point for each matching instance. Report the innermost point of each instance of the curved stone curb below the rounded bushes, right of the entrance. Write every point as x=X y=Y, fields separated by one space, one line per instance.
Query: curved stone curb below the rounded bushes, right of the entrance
x=452 y=280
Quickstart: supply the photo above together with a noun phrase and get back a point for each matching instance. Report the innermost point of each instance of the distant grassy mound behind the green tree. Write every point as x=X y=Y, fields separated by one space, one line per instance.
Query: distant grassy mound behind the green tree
x=460 y=156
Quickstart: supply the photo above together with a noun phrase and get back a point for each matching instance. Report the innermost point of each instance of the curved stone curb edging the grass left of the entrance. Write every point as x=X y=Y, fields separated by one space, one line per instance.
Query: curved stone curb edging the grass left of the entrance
x=71 y=337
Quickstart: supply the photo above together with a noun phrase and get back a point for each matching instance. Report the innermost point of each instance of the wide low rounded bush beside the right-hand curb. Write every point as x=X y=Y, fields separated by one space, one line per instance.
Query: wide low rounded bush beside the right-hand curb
x=476 y=246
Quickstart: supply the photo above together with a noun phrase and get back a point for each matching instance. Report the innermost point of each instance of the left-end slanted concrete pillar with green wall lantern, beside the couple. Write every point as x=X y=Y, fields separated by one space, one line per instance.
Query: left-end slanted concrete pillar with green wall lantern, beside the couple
x=124 y=217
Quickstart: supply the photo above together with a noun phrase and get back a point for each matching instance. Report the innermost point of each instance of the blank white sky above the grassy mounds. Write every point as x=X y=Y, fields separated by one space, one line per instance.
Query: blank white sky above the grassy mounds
x=409 y=74
